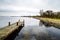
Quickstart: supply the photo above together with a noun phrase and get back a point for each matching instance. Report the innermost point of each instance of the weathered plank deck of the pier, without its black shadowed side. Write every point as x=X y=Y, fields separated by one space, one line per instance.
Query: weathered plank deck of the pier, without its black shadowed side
x=6 y=31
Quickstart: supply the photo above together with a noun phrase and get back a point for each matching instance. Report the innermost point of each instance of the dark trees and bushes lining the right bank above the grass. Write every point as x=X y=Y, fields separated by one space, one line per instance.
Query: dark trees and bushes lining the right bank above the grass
x=50 y=14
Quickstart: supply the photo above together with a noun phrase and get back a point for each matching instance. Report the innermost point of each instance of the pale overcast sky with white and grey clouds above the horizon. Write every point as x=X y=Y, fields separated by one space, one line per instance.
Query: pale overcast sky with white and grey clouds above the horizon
x=27 y=6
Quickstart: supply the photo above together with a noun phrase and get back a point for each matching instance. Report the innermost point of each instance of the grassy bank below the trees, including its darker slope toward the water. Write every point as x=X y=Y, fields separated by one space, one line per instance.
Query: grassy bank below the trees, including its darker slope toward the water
x=53 y=21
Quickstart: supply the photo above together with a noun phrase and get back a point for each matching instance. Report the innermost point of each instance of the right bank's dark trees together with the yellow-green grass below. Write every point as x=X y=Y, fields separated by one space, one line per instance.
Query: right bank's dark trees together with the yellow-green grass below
x=53 y=18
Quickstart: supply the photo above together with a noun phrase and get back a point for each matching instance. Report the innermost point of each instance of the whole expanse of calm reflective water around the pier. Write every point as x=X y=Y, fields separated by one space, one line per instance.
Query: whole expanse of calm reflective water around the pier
x=33 y=29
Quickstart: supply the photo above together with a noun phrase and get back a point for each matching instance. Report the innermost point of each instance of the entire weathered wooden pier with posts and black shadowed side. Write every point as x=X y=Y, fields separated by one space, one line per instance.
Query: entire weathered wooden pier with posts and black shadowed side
x=11 y=31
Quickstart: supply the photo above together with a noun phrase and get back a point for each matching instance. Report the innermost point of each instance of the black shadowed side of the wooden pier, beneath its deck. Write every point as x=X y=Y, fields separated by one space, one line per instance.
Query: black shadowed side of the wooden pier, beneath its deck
x=12 y=35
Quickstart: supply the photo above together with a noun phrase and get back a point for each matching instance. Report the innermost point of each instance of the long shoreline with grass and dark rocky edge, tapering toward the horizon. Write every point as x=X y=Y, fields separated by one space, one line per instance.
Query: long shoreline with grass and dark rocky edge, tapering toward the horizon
x=47 y=21
